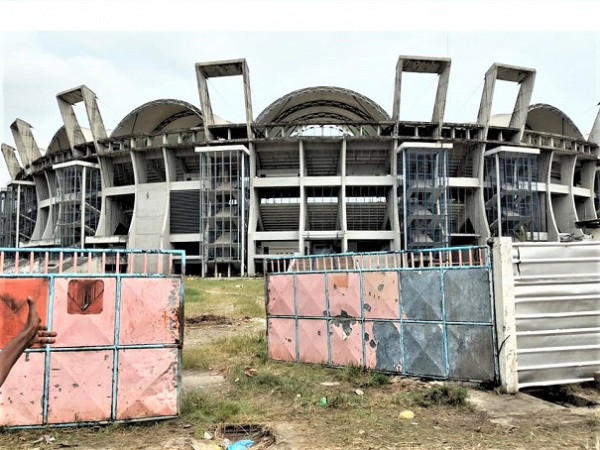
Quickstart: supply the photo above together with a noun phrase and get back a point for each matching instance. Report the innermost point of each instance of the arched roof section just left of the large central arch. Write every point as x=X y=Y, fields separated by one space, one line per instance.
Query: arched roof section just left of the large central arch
x=159 y=115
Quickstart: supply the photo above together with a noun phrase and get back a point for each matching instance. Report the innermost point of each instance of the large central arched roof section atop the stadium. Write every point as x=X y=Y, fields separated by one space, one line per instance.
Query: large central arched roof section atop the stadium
x=323 y=104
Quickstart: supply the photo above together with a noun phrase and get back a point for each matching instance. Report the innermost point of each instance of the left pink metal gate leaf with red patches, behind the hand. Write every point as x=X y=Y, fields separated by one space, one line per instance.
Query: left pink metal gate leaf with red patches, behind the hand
x=117 y=357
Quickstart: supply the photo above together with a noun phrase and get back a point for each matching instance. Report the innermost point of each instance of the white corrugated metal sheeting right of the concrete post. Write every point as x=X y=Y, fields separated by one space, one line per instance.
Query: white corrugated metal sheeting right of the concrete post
x=557 y=312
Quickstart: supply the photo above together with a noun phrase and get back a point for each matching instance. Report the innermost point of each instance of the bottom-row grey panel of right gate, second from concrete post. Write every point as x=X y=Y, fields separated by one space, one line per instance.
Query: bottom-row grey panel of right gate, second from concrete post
x=426 y=344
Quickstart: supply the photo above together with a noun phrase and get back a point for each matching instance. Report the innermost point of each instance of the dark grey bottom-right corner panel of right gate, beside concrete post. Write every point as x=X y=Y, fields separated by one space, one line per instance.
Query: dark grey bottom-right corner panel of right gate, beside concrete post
x=470 y=352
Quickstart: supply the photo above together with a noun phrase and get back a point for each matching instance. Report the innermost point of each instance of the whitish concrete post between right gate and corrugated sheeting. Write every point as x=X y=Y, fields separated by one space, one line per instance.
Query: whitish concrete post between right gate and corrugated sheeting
x=504 y=301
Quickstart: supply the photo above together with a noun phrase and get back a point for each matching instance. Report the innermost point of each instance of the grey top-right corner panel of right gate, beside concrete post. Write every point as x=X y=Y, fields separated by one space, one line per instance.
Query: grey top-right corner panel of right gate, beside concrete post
x=467 y=294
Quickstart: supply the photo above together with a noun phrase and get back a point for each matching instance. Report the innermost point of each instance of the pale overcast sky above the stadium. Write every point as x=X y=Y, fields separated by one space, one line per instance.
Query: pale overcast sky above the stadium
x=127 y=69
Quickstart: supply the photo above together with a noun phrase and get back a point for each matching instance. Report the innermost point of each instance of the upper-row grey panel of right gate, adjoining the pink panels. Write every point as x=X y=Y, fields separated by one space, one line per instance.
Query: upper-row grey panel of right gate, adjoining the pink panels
x=421 y=295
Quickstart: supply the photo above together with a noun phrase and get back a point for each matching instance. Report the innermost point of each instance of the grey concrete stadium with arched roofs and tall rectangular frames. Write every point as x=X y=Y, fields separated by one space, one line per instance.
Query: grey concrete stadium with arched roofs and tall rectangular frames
x=320 y=170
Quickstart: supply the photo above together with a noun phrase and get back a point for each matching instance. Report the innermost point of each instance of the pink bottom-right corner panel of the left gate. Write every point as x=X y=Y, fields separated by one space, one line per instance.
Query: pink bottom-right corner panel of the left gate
x=147 y=381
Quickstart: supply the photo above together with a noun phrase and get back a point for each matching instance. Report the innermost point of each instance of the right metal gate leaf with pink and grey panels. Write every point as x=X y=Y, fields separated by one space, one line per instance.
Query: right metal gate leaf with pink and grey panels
x=422 y=313
